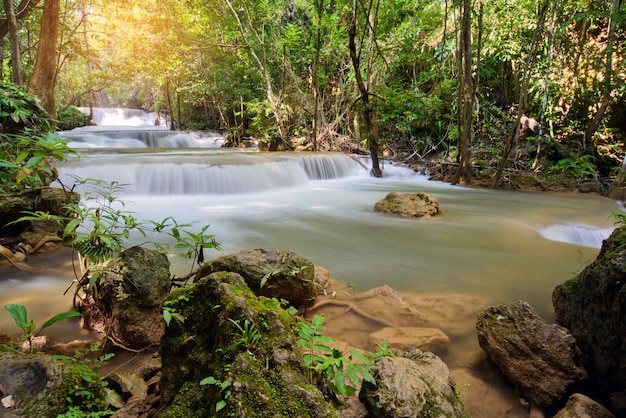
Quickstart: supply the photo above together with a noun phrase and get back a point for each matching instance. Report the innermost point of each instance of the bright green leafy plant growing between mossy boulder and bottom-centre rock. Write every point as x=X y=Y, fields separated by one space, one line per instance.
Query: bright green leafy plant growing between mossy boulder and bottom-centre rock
x=332 y=363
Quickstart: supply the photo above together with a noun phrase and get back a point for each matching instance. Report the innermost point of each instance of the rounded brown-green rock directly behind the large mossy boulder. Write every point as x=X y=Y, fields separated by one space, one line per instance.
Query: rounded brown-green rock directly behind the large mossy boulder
x=268 y=272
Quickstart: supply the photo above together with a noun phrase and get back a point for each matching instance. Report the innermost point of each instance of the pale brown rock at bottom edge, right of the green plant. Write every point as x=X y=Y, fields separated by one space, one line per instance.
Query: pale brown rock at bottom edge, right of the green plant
x=415 y=385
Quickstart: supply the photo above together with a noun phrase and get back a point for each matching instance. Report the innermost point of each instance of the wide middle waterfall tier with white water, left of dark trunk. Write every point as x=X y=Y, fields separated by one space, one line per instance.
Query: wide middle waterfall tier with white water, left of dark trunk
x=216 y=173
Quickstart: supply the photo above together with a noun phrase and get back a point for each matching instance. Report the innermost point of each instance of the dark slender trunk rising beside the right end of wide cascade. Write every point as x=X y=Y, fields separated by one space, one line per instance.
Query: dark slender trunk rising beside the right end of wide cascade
x=369 y=118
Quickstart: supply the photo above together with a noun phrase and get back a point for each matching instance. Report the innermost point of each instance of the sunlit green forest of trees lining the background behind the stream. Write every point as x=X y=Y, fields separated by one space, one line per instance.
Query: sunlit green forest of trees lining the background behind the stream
x=534 y=84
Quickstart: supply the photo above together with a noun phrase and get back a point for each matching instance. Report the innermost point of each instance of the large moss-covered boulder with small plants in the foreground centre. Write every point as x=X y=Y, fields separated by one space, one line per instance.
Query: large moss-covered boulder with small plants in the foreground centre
x=242 y=347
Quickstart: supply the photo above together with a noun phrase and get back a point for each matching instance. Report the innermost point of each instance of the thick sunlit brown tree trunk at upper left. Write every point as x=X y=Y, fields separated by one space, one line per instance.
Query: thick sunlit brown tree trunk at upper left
x=44 y=75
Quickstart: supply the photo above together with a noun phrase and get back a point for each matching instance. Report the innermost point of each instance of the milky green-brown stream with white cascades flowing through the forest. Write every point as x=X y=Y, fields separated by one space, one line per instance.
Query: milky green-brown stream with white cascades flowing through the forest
x=498 y=246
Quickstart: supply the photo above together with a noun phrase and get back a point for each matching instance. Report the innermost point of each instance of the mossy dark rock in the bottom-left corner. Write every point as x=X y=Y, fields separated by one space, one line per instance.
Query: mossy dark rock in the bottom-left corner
x=40 y=385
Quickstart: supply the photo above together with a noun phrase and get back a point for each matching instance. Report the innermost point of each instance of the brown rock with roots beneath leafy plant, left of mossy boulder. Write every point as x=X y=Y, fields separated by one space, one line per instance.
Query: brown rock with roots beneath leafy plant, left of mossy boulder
x=128 y=298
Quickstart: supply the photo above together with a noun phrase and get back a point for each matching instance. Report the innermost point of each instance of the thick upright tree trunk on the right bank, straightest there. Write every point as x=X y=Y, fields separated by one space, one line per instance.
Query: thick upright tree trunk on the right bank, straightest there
x=464 y=170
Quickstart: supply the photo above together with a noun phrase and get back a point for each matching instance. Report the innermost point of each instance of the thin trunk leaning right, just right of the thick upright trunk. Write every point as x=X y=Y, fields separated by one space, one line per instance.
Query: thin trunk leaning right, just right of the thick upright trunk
x=514 y=131
